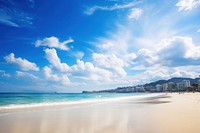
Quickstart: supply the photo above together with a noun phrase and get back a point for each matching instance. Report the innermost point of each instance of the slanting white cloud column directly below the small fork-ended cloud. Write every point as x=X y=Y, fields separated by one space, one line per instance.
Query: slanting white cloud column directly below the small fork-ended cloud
x=52 y=57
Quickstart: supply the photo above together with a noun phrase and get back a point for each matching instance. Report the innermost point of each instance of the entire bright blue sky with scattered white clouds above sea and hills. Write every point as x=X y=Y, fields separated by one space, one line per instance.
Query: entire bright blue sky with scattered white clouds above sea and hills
x=73 y=45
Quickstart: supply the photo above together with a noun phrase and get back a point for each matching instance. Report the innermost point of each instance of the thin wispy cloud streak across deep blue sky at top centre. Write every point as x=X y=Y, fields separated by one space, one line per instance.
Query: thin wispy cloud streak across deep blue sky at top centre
x=91 y=10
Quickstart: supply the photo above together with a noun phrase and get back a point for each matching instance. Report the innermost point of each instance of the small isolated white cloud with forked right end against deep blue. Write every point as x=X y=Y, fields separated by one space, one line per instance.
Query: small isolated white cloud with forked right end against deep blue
x=53 y=42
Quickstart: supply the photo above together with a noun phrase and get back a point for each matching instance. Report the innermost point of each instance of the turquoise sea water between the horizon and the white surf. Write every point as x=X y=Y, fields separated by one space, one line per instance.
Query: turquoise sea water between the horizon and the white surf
x=10 y=99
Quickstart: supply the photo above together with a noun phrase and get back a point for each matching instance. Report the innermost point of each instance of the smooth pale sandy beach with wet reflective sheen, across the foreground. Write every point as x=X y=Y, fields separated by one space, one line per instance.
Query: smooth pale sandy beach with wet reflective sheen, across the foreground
x=164 y=113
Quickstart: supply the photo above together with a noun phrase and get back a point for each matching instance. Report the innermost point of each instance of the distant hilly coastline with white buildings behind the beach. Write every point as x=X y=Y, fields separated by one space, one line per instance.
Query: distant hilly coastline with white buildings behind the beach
x=175 y=84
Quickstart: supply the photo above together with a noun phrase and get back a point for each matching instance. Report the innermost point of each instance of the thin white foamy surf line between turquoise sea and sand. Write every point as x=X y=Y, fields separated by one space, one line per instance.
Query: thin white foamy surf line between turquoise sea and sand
x=54 y=105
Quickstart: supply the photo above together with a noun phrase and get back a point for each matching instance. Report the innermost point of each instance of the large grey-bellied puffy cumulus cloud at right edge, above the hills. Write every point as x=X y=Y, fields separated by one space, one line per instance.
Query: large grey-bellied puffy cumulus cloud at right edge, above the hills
x=176 y=51
